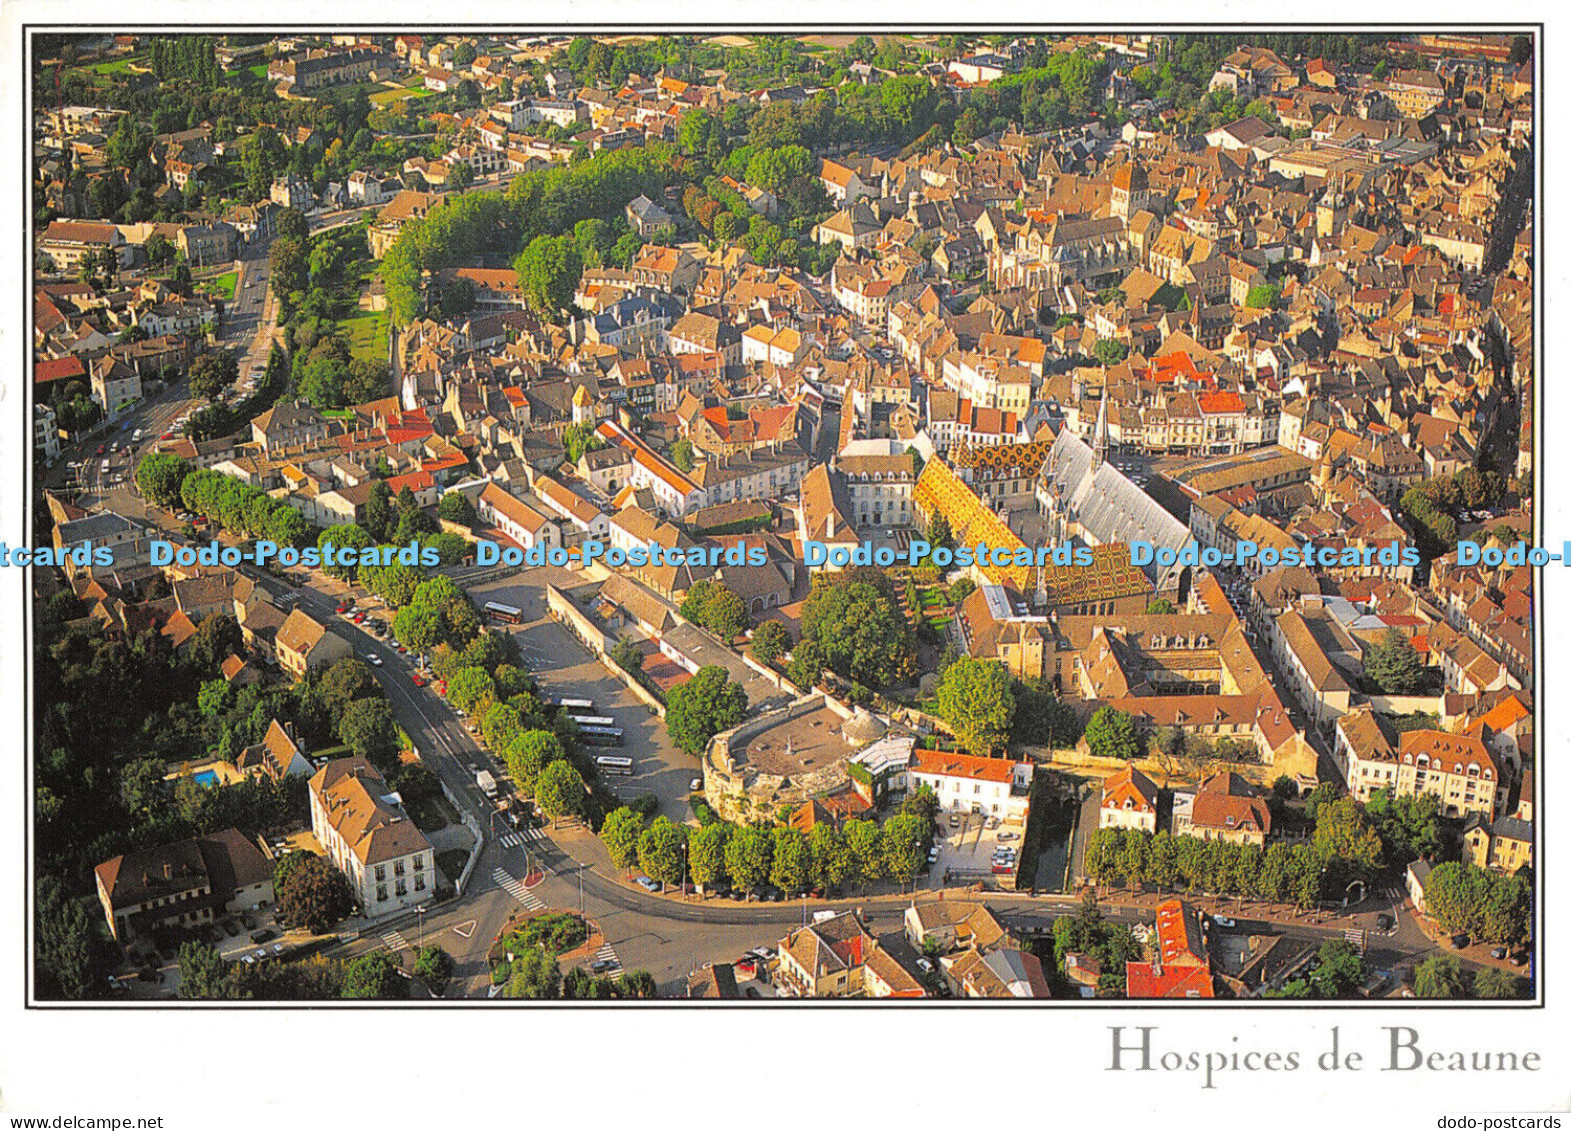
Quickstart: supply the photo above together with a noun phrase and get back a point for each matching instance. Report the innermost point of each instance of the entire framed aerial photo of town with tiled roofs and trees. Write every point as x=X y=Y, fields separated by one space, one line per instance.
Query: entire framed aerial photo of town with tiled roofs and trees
x=662 y=387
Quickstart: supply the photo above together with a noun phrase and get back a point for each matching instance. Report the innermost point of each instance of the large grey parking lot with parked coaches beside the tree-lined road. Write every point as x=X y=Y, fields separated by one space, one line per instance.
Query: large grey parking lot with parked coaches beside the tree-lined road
x=565 y=668
